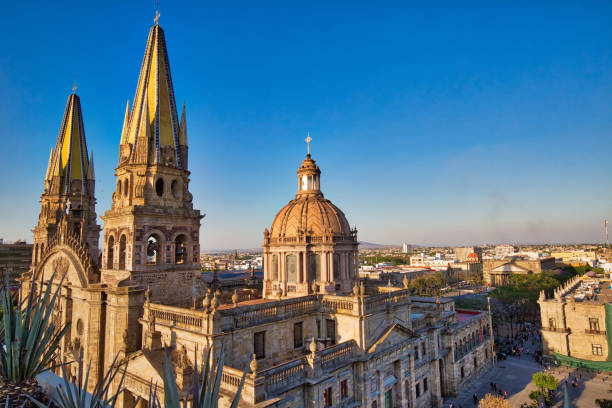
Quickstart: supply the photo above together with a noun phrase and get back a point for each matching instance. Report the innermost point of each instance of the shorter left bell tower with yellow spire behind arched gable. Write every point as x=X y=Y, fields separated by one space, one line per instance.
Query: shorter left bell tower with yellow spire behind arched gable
x=68 y=199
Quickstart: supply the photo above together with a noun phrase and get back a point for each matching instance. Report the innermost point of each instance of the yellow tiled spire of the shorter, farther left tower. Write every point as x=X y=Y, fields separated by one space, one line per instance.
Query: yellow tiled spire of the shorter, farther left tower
x=69 y=159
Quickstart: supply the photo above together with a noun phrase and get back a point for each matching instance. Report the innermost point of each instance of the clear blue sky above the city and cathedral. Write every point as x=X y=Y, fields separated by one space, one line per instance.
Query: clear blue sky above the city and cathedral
x=436 y=124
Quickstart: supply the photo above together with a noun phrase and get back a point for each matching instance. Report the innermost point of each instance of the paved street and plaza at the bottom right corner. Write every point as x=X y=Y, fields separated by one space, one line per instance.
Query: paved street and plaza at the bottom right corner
x=514 y=375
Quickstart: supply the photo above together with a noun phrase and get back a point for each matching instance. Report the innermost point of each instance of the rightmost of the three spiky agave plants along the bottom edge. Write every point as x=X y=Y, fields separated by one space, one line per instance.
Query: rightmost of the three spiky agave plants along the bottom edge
x=205 y=388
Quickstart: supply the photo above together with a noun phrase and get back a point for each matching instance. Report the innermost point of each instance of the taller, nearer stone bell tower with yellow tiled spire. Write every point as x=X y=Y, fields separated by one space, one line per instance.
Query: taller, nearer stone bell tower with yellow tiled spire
x=151 y=232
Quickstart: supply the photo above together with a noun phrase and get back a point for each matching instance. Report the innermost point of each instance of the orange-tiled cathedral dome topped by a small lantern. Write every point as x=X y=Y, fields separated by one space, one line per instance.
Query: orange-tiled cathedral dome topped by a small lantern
x=310 y=213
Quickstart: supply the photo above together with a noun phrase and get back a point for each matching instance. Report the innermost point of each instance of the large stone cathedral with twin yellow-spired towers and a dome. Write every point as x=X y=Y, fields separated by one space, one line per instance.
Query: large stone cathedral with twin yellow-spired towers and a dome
x=312 y=335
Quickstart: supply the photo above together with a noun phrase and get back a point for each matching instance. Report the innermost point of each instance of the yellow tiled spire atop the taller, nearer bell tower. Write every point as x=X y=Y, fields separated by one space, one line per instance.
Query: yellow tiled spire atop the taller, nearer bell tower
x=155 y=94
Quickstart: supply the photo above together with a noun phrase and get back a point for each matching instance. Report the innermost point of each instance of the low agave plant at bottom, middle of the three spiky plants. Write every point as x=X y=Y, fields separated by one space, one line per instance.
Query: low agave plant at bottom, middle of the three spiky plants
x=75 y=395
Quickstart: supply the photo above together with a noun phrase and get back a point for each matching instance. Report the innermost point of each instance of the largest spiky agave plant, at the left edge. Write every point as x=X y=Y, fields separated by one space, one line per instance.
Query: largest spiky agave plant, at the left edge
x=29 y=340
